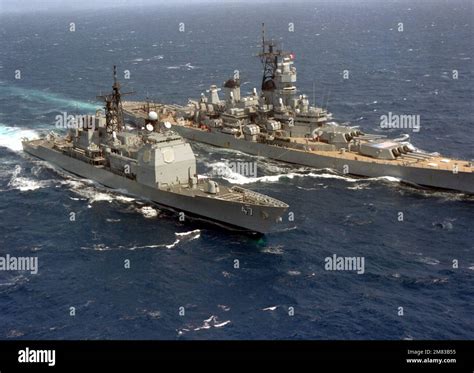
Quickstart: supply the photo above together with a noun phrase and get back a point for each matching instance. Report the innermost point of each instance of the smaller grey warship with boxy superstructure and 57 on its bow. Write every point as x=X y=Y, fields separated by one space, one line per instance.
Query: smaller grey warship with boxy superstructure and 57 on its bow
x=154 y=163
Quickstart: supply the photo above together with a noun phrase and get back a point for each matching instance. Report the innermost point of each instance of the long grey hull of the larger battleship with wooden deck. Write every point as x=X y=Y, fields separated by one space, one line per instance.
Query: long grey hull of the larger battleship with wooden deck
x=432 y=178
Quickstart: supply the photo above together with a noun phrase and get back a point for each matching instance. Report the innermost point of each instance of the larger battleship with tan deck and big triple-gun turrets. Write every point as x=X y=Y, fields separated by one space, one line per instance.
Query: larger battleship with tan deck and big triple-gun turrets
x=280 y=124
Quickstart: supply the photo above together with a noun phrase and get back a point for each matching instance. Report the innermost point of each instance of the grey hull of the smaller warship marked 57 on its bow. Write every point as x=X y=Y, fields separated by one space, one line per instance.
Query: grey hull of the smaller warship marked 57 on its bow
x=231 y=214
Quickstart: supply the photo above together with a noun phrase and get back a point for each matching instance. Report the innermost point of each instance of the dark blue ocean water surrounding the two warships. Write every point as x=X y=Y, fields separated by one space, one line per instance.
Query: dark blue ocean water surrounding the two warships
x=281 y=289
